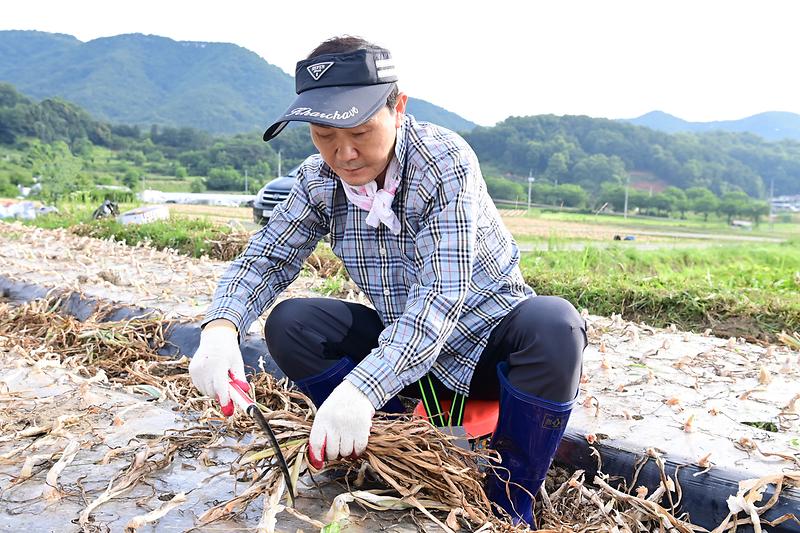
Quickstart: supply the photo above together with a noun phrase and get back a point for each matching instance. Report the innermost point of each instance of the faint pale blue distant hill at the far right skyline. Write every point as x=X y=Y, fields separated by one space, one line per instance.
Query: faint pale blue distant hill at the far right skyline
x=772 y=125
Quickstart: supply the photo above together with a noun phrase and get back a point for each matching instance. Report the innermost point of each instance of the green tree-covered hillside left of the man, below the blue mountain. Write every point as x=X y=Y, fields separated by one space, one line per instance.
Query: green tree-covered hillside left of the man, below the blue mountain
x=62 y=148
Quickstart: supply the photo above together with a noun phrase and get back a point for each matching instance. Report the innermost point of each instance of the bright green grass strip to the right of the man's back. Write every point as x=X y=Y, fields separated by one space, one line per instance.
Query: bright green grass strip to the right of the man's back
x=741 y=290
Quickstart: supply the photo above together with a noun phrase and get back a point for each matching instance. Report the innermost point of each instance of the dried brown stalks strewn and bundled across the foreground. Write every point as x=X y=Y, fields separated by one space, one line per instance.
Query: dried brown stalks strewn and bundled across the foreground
x=421 y=467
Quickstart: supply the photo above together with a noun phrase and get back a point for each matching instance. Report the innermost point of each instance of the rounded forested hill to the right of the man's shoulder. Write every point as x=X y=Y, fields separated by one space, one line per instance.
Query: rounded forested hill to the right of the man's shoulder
x=588 y=151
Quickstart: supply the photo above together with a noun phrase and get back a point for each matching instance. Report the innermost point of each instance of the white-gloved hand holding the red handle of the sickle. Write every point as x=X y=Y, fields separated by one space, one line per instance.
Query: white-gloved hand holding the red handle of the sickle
x=217 y=355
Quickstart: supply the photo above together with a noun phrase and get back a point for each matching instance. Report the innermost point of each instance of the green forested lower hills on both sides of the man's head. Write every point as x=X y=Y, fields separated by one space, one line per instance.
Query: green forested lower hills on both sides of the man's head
x=575 y=160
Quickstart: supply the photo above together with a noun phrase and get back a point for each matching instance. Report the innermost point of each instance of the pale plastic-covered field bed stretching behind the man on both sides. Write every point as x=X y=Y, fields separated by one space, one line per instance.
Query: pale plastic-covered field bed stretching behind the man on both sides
x=690 y=395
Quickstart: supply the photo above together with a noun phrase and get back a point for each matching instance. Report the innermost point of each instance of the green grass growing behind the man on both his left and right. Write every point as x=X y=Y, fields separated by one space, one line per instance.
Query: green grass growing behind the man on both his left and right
x=747 y=290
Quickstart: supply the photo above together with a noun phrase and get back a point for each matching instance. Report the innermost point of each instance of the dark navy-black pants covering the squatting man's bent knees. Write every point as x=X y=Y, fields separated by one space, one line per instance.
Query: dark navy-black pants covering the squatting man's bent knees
x=542 y=339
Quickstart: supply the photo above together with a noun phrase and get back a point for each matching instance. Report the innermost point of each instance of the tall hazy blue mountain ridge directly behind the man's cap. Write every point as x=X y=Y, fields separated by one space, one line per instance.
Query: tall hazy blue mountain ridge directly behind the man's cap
x=146 y=79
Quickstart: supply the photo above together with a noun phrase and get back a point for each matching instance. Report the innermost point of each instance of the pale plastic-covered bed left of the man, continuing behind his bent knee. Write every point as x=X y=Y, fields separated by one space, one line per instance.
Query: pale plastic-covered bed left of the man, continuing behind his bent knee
x=180 y=286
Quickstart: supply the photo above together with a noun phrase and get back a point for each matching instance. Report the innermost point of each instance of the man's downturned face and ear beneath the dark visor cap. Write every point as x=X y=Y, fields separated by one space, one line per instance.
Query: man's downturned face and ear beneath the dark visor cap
x=361 y=154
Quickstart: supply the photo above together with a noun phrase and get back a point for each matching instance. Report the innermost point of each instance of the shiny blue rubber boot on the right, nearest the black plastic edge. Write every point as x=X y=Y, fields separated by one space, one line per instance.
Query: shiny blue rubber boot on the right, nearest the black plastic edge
x=527 y=436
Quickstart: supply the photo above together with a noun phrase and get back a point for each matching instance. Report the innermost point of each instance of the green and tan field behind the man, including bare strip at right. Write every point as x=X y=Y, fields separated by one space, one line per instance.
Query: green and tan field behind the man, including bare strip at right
x=733 y=287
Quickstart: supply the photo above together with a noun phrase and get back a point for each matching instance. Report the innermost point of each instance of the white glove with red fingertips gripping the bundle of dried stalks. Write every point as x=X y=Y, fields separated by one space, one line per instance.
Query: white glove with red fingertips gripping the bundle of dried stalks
x=341 y=427
